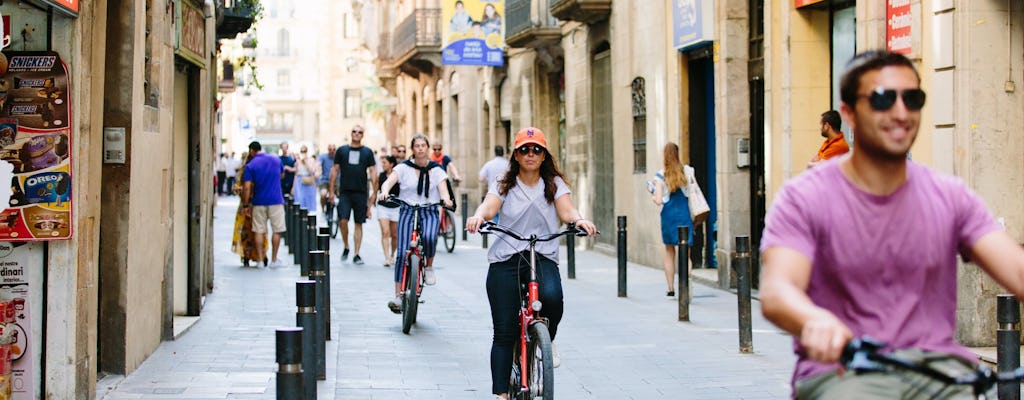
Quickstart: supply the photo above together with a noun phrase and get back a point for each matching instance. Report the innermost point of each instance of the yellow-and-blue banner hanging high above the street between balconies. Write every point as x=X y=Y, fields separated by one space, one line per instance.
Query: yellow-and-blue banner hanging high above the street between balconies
x=473 y=33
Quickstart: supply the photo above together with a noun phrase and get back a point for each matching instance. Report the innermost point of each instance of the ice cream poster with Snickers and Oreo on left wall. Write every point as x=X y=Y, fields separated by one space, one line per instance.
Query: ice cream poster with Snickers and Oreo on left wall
x=35 y=148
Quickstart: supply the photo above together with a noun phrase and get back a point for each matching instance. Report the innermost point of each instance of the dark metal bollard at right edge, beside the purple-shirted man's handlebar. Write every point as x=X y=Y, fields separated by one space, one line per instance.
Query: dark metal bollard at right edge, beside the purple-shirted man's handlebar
x=1008 y=339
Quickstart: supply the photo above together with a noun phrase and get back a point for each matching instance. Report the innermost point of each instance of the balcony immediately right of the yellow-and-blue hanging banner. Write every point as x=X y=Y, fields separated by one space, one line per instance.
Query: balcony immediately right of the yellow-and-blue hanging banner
x=531 y=24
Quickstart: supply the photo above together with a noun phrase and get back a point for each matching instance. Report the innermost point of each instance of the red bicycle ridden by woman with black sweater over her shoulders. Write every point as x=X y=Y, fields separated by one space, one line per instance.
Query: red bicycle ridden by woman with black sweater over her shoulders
x=413 y=278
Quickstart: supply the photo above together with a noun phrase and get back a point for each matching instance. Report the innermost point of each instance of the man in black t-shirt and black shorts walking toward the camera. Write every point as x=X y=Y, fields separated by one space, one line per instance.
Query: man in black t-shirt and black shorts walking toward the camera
x=355 y=167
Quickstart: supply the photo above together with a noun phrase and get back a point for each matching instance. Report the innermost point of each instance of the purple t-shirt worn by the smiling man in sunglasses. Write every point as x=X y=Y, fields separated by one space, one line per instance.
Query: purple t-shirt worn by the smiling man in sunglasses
x=886 y=266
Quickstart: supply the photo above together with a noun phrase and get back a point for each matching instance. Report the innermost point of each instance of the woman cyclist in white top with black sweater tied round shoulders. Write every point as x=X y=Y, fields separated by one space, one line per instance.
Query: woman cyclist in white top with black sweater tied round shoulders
x=420 y=182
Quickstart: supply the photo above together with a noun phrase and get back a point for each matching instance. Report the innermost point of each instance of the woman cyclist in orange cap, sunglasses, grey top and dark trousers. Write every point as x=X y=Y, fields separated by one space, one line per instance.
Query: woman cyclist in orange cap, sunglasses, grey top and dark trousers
x=533 y=199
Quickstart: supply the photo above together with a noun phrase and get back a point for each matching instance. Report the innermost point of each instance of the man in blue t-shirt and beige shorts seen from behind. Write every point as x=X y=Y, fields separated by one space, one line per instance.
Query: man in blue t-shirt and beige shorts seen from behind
x=263 y=200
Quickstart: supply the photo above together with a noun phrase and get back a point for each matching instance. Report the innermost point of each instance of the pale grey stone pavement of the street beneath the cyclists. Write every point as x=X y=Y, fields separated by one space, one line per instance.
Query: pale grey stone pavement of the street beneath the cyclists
x=612 y=348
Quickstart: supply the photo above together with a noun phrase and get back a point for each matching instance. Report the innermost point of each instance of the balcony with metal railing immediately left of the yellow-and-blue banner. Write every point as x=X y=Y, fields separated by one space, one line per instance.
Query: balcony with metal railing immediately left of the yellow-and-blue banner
x=416 y=46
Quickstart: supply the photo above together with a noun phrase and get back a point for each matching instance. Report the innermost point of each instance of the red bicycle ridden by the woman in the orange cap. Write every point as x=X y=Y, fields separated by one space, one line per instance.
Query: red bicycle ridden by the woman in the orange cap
x=533 y=368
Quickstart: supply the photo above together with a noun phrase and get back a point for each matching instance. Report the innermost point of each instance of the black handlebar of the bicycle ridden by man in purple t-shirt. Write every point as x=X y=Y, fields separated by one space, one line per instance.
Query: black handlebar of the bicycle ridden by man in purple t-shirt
x=864 y=355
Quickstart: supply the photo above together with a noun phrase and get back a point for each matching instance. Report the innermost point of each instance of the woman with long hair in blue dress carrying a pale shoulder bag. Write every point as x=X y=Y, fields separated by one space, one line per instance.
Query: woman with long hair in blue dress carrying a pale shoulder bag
x=669 y=193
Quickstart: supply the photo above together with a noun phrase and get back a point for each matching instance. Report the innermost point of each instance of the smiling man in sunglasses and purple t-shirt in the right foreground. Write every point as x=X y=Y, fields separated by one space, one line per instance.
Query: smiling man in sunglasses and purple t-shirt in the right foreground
x=867 y=244
